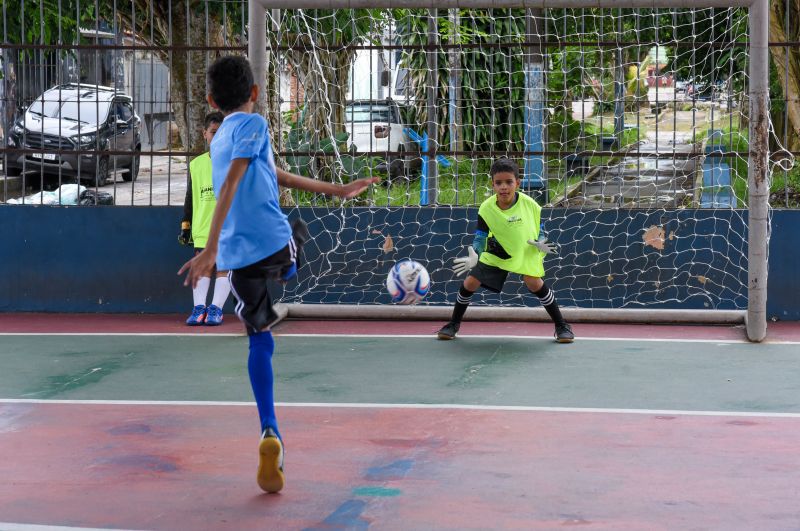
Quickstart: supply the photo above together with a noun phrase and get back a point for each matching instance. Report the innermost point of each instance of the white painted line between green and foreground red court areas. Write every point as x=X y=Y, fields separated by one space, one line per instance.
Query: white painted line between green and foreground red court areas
x=545 y=409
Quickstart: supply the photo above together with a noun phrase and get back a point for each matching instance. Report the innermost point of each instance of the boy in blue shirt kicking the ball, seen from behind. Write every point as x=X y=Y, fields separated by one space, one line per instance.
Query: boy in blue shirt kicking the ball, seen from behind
x=251 y=237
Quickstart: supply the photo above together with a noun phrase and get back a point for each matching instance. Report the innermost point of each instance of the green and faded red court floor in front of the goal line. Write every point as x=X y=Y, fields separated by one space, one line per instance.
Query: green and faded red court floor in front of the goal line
x=159 y=432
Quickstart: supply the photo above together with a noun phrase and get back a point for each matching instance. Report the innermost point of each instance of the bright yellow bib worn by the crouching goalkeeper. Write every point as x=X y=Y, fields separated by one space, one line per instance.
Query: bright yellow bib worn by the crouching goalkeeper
x=511 y=229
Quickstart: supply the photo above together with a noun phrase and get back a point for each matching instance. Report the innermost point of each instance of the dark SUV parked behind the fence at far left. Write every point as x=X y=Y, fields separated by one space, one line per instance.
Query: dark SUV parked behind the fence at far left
x=78 y=118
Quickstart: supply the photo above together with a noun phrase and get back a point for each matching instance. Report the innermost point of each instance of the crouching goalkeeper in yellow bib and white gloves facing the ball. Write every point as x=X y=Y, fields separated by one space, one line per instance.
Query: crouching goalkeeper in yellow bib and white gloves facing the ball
x=507 y=240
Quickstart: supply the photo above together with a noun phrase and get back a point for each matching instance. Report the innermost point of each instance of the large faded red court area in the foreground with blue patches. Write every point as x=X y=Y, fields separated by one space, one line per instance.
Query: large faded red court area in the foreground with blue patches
x=192 y=467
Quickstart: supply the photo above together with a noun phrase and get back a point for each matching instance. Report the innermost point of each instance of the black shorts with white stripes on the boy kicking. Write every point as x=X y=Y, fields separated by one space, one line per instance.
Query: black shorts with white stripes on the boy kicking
x=249 y=284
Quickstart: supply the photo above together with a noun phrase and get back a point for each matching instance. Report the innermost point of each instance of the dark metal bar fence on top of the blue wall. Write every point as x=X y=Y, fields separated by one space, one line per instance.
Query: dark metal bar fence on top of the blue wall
x=603 y=108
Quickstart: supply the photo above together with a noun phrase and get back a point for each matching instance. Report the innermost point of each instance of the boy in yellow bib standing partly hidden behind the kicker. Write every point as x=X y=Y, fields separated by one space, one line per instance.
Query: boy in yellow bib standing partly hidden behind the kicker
x=198 y=207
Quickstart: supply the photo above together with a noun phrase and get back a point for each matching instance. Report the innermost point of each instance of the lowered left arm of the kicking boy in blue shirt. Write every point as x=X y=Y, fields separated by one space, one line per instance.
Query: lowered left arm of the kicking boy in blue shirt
x=202 y=264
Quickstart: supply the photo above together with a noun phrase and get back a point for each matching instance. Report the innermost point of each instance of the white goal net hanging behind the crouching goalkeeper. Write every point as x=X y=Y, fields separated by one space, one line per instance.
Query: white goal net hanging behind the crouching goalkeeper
x=630 y=124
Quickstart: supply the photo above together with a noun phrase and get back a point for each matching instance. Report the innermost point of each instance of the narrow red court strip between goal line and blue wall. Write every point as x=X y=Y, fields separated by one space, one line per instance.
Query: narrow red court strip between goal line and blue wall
x=33 y=323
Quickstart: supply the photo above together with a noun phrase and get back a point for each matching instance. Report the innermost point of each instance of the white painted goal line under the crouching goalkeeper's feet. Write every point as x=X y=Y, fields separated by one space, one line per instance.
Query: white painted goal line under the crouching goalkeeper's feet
x=404 y=336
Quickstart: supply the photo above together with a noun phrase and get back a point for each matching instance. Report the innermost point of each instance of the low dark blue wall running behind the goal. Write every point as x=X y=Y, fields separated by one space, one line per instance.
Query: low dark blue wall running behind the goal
x=124 y=259
